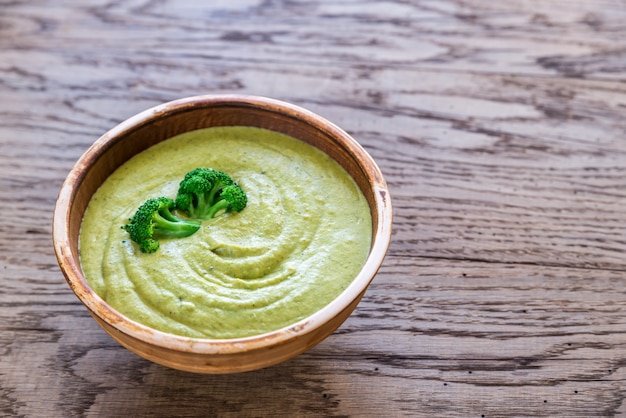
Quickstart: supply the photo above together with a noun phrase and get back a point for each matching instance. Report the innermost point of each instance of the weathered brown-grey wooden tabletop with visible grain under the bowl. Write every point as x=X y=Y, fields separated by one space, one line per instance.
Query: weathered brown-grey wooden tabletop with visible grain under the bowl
x=500 y=127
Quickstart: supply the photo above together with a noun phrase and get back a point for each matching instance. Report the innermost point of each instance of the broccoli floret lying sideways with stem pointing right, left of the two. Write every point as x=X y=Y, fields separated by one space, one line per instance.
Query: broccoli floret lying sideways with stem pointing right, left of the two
x=153 y=220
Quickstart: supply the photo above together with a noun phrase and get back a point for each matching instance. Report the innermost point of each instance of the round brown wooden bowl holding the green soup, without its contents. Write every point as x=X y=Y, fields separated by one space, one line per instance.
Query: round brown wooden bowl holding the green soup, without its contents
x=165 y=121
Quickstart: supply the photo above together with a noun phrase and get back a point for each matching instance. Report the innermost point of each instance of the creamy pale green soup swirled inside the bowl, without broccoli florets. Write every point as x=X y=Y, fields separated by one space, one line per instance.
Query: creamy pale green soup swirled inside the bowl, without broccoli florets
x=300 y=241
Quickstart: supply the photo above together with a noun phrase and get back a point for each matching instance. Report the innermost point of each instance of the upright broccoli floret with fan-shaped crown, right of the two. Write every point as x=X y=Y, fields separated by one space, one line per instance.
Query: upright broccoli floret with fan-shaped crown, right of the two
x=205 y=192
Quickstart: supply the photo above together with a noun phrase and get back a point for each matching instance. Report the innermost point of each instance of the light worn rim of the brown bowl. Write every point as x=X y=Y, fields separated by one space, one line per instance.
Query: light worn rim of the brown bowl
x=72 y=271
